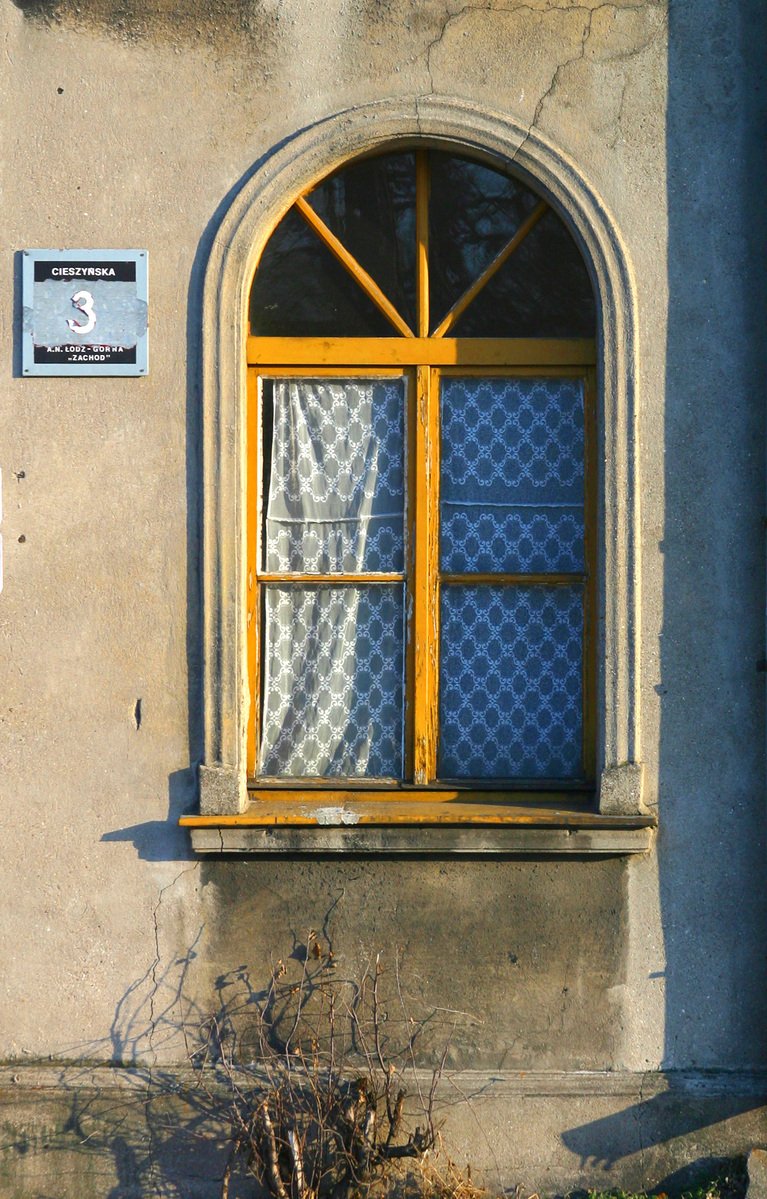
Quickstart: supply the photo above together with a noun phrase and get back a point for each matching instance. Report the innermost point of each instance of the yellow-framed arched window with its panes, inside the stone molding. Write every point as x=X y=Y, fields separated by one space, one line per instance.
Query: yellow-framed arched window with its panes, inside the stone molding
x=422 y=491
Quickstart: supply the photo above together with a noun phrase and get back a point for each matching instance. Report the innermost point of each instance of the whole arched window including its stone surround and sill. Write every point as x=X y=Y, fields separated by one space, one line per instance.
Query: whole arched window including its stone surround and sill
x=420 y=544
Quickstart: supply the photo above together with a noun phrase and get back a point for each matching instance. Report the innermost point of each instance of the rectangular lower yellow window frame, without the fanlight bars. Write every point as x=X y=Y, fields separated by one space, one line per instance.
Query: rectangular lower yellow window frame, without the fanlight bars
x=276 y=358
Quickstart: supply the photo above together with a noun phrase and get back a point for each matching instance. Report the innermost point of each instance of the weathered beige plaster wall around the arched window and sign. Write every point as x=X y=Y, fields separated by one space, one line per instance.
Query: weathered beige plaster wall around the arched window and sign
x=132 y=125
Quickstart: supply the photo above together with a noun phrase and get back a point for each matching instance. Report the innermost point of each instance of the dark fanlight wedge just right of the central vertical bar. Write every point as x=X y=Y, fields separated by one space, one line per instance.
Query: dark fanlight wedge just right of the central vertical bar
x=474 y=212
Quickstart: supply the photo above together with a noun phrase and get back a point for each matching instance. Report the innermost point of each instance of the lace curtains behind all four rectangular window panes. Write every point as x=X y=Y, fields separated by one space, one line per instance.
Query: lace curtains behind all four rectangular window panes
x=512 y=501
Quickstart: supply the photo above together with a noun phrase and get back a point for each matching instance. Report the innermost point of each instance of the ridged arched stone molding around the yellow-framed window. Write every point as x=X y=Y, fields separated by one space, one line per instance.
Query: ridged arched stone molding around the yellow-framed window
x=292 y=170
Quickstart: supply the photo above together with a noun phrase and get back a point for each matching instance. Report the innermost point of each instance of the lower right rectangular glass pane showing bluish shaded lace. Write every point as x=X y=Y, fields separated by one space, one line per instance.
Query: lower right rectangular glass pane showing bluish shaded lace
x=511 y=690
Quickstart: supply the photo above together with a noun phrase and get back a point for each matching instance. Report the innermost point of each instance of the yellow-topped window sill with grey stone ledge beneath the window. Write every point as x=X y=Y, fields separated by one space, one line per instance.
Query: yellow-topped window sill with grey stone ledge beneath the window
x=336 y=823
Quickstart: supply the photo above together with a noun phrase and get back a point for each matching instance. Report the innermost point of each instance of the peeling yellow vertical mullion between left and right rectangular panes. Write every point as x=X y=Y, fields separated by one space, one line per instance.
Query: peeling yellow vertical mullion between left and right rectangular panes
x=426 y=616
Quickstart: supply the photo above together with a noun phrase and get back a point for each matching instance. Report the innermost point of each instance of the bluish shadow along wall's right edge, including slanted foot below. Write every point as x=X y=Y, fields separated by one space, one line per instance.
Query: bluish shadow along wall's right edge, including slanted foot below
x=711 y=841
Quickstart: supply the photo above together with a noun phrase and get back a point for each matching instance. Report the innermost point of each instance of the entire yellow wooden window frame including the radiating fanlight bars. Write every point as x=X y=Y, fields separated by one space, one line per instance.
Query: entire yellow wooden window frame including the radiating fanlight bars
x=424 y=357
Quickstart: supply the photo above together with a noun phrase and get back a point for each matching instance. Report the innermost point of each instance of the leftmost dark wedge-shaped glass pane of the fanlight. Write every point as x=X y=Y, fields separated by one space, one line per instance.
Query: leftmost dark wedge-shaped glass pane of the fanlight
x=303 y=291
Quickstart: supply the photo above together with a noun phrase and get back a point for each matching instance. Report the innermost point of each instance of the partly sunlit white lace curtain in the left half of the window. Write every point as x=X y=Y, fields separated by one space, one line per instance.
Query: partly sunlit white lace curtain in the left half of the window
x=335 y=654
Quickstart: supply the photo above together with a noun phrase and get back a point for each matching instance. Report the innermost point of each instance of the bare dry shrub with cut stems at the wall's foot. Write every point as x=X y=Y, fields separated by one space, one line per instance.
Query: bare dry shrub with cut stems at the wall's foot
x=316 y=1081
